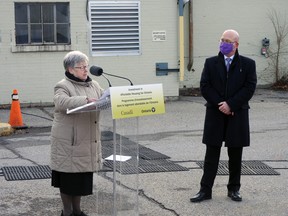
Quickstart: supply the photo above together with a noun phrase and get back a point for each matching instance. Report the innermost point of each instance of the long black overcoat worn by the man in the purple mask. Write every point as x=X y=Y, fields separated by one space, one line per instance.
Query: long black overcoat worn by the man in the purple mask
x=236 y=88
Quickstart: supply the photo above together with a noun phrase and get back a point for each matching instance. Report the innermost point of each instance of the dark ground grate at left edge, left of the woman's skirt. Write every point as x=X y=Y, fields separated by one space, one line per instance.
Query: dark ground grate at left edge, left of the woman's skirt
x=13 y=173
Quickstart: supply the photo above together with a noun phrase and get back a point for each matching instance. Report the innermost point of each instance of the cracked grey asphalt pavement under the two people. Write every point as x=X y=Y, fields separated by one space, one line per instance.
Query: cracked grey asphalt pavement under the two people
x=177 y=134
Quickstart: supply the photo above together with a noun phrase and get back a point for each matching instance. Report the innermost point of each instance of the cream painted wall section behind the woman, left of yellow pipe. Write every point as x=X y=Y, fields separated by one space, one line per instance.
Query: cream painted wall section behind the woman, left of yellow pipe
x=34 y=74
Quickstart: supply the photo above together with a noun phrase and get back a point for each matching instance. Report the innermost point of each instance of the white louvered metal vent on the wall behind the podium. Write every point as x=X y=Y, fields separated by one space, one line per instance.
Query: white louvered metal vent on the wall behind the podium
x=115 y=27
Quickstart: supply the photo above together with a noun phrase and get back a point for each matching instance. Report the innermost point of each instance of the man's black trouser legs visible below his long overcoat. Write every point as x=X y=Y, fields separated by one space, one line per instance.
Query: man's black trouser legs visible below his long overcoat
x=211 y=162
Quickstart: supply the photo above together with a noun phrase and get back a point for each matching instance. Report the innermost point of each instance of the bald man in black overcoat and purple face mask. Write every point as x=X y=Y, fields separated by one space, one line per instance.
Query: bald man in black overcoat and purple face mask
x=228 y=82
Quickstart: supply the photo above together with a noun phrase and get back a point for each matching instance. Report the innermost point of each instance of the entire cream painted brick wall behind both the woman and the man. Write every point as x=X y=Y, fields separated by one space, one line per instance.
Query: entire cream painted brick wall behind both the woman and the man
x=34 y=74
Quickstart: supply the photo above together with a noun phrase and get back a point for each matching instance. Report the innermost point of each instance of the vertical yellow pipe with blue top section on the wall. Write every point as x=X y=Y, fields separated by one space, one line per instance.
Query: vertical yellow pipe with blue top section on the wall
x=181 y=40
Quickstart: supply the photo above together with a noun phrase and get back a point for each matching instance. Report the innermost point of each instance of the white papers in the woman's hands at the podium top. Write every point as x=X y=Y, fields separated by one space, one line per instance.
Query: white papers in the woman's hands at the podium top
x=103 y=103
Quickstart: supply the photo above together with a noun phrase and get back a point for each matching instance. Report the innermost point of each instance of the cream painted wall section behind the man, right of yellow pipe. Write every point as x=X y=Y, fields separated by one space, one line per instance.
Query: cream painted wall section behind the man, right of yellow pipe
x=249 y=18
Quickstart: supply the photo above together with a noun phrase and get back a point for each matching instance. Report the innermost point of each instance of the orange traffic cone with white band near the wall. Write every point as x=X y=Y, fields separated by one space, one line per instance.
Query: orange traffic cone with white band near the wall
x=16 y=120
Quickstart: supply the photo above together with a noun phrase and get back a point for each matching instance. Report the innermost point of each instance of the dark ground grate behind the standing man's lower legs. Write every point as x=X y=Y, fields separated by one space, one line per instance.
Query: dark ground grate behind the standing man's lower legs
x=248 y=168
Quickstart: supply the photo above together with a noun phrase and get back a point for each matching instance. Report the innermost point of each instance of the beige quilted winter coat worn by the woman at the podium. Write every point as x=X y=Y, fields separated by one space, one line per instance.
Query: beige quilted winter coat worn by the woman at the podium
x=75 y=138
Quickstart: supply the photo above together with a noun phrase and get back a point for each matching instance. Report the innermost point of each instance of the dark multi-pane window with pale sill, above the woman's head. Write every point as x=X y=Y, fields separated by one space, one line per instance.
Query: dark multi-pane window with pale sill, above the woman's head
x=42 y=23
